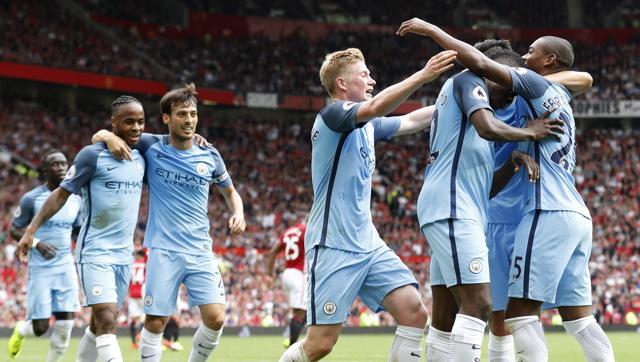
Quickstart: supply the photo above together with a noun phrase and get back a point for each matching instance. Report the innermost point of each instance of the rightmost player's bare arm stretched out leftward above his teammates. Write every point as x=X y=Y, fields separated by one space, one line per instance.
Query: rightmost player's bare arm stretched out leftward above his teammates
x=470 y=57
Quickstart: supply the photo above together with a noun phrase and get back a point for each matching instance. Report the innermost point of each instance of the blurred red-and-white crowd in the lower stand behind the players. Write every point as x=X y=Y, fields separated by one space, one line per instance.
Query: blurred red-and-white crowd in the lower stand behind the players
x=269 y=161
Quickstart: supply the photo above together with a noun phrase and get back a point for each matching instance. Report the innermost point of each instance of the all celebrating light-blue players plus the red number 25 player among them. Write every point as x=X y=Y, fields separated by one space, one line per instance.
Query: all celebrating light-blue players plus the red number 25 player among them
x=509 y=233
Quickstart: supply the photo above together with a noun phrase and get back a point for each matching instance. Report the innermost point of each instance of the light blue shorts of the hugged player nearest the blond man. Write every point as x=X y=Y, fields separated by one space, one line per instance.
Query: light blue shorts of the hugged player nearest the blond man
x=460 y=249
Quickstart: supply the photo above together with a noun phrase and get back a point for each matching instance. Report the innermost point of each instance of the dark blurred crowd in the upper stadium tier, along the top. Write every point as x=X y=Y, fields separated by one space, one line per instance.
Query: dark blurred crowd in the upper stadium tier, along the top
x=50 y=36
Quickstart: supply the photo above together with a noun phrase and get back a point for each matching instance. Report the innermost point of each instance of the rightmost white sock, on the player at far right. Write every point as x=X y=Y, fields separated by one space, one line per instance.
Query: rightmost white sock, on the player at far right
x=594 y=341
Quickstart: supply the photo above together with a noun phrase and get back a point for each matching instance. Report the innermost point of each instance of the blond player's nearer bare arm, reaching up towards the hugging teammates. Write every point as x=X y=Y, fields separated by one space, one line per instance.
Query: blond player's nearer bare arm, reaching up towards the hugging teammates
x=391 y=97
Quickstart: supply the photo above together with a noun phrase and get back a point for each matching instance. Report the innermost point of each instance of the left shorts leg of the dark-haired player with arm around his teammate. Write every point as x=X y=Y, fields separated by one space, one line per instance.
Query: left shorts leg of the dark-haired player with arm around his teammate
x=165 y=271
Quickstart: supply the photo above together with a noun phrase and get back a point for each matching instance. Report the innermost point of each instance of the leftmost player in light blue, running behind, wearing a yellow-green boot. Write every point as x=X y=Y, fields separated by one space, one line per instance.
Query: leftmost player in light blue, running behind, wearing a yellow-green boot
x=53 y=287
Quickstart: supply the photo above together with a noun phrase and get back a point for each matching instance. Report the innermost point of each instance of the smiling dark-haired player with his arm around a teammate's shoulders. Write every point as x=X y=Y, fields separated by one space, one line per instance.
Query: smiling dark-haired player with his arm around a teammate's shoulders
x=179 y=174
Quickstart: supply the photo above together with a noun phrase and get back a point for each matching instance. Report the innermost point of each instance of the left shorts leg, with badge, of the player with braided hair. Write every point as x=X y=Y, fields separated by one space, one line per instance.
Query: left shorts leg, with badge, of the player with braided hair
x=98 y=283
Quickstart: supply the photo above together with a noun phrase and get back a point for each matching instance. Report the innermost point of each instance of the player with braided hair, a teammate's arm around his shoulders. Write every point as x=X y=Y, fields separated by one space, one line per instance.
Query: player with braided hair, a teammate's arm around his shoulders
x=111 y=191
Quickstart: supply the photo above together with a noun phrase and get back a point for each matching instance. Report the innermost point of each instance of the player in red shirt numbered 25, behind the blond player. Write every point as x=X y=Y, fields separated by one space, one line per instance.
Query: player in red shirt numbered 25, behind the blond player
x=294 y=277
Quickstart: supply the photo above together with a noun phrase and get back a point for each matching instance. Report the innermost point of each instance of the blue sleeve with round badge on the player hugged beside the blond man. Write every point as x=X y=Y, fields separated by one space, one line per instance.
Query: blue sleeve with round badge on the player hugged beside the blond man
x=470 y=91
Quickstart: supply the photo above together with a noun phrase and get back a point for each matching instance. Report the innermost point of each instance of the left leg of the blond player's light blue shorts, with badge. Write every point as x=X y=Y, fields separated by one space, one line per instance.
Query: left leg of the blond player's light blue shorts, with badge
x=335 y=277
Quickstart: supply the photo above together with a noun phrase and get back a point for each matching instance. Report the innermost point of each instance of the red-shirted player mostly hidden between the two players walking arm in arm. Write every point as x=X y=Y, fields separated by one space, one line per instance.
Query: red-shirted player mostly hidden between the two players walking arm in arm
x=138 y=274
